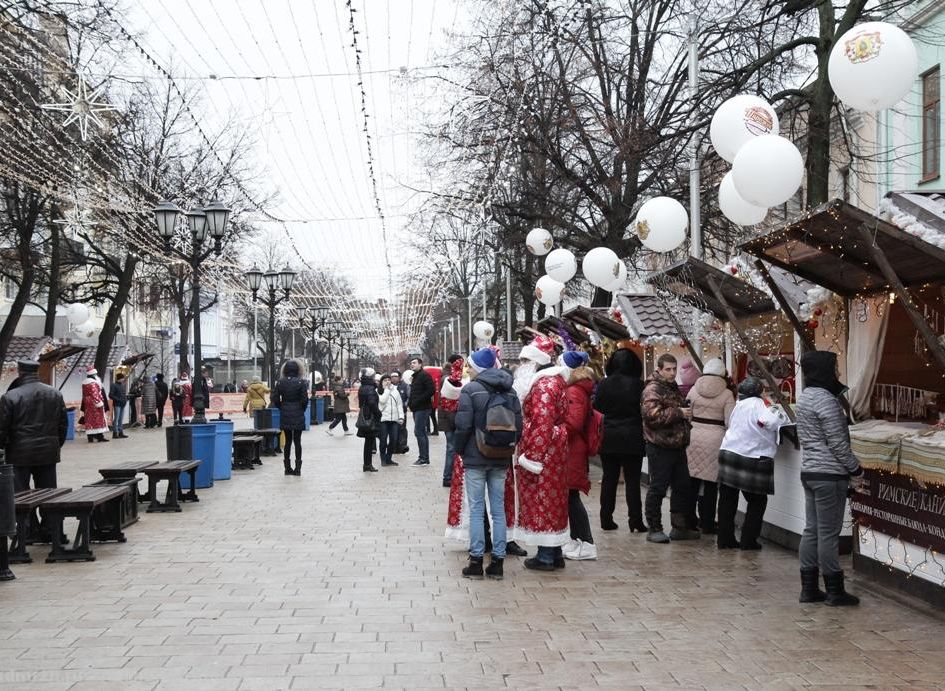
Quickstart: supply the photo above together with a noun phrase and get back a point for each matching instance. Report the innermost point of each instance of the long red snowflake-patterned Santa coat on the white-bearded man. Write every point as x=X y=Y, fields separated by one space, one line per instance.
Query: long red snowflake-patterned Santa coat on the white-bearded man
x=543 y=498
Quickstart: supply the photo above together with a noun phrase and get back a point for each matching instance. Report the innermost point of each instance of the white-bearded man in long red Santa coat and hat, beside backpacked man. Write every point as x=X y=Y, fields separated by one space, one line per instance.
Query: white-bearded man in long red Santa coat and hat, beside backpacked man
x=541 y=479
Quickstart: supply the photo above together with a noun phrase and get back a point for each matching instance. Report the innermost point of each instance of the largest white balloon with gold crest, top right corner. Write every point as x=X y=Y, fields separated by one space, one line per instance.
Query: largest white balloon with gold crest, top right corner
x=872 y=66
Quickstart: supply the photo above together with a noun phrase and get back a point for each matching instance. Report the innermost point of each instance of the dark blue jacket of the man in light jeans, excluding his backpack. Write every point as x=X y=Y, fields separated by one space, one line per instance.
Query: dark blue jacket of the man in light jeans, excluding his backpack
x=473 y=402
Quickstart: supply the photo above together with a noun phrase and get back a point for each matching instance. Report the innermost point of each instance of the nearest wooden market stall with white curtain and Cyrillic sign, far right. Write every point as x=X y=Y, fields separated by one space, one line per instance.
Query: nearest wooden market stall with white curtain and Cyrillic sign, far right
x=890 y=284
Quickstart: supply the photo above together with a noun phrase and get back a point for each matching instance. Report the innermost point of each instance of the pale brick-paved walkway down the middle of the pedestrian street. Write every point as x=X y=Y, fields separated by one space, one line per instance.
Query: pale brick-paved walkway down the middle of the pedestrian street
x=340 y=579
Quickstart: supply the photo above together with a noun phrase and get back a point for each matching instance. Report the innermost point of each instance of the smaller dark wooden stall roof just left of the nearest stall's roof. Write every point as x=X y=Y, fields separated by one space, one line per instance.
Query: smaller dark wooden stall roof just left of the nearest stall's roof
x=689 y=280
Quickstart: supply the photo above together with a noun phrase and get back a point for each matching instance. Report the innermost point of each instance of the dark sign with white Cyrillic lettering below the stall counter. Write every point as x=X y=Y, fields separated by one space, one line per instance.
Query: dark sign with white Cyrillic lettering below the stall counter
x=902 y=507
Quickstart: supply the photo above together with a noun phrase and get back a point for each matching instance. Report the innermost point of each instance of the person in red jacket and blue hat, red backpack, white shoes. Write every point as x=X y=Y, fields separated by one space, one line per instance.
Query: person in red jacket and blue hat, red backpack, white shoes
x=577 y=421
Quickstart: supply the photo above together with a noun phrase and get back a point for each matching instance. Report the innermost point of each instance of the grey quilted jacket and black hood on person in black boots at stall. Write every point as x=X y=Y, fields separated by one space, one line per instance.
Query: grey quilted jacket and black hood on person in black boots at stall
x=822 y=423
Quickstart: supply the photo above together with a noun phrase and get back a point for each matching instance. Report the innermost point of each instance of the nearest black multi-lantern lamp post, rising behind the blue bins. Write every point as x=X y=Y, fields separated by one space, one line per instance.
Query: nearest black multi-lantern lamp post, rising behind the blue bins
x=210 y=219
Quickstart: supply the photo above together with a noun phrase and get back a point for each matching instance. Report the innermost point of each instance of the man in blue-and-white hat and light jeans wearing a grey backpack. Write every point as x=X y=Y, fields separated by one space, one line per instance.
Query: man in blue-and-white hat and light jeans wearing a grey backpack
x=487 y=425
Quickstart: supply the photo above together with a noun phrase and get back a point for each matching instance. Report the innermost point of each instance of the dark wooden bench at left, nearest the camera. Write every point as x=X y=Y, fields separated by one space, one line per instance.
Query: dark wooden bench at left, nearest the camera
x=81 y=504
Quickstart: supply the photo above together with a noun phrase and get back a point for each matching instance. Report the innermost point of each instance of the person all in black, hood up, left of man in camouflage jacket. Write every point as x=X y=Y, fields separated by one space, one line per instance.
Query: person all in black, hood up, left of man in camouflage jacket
x=618 y=399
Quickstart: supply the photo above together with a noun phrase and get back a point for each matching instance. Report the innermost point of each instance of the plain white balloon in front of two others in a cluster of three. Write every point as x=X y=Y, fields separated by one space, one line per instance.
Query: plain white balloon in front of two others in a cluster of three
x=767 y=171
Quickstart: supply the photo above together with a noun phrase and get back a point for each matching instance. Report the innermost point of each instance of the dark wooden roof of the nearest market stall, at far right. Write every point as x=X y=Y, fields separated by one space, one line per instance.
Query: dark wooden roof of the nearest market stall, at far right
x=825 y=246
